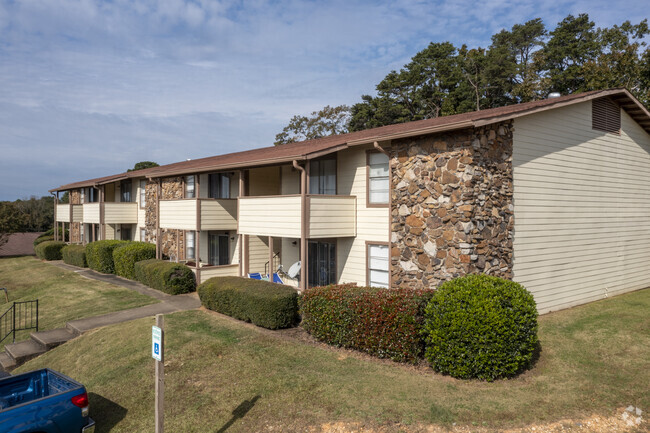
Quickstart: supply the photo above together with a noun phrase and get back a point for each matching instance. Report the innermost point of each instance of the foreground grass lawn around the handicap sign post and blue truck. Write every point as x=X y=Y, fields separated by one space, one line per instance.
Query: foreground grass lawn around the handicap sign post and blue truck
x=222 y=375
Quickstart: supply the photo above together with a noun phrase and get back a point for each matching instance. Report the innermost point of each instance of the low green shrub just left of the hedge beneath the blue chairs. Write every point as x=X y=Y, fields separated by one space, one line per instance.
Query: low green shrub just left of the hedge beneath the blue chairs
x=168 y=277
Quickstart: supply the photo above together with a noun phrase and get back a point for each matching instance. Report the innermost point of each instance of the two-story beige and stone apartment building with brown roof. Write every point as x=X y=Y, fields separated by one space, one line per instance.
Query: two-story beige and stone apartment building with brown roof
x=554 y=194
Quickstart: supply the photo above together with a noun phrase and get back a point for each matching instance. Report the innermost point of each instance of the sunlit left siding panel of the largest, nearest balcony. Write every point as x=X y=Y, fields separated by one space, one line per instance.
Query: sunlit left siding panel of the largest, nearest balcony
x=270 y=216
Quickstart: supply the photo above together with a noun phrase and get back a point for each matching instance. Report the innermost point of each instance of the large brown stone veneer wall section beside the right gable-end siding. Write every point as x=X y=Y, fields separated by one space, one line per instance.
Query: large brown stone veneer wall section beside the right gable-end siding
x=452 y=209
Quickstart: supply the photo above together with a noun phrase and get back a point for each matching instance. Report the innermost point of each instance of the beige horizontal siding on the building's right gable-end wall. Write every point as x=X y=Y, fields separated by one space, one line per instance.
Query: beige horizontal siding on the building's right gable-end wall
x=582 y=207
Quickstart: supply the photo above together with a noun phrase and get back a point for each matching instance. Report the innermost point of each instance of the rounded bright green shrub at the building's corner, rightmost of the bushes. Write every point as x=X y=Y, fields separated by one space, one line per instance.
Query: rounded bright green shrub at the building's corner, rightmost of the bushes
x=482 y=327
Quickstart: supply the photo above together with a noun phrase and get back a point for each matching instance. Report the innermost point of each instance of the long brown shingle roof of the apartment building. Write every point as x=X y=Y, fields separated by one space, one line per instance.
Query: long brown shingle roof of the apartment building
x=313 y=148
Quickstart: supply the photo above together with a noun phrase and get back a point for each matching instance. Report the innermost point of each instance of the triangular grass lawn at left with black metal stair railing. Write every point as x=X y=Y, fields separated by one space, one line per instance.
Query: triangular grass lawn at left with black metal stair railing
x=62 y=295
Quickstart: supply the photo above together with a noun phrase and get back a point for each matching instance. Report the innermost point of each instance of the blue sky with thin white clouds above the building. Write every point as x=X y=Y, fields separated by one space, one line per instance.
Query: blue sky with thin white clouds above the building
x=89 y=87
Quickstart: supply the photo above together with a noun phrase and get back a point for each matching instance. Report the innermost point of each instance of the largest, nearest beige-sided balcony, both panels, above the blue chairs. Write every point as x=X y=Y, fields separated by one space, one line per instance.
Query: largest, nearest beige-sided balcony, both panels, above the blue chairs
x=328 y=216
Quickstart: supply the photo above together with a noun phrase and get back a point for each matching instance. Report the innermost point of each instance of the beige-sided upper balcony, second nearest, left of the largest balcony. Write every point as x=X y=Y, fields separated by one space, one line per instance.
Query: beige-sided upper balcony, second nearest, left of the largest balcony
x=207 y=214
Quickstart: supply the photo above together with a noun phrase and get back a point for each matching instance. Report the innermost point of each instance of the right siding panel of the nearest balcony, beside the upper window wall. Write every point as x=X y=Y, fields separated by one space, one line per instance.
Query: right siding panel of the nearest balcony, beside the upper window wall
x=331 y=216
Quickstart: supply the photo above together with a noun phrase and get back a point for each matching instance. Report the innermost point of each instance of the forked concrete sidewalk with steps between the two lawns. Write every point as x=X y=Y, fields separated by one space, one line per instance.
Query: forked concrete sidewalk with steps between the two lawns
x=40 y=342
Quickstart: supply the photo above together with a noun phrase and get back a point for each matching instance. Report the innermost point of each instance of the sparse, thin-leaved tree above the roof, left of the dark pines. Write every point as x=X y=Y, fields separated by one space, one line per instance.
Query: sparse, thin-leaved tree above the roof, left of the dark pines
x=328 y=121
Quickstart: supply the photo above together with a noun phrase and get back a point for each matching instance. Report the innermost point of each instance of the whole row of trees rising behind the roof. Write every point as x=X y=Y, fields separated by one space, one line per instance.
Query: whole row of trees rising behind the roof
x=522 y=64
